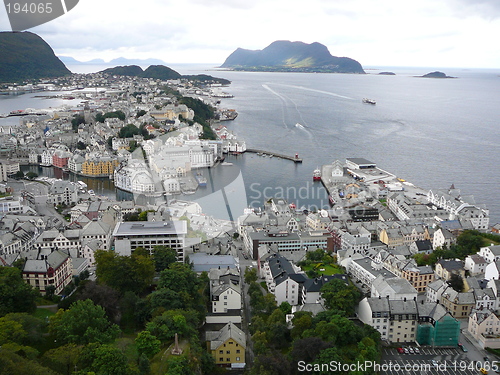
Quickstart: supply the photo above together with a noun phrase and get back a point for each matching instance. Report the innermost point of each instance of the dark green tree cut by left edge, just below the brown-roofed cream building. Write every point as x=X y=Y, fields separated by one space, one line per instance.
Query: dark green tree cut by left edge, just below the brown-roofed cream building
x=15 y=294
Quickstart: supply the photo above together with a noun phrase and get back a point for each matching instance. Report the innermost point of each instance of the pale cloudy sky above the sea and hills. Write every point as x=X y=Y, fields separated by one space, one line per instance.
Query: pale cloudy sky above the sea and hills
x=428 y=33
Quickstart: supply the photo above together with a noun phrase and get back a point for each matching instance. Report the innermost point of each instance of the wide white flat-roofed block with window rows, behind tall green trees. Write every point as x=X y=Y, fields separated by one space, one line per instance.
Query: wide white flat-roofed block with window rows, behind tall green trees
x=130 y=235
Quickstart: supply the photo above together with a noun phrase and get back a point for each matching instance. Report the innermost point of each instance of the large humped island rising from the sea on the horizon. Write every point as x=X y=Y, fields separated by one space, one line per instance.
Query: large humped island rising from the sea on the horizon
x=286 y=56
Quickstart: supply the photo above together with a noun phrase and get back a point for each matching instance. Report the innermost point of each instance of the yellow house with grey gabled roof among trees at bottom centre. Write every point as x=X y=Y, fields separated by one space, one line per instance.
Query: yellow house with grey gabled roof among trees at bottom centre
x=227 y=346
